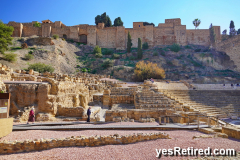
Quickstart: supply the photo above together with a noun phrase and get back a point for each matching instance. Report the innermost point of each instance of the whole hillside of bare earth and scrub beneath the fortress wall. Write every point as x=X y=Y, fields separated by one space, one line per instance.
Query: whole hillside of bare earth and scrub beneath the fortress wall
x=194 y=62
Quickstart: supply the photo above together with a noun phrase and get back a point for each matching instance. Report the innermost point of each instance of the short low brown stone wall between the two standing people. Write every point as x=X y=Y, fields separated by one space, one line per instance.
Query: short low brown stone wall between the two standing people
x=70 y=111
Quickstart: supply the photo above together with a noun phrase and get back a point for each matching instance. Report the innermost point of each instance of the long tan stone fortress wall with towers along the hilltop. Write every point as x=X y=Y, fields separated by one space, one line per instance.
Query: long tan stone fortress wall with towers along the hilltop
x=172 y=31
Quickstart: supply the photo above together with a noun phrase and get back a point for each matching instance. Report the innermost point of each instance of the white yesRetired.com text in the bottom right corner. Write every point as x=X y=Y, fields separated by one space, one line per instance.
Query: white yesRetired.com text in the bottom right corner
x=190 y=151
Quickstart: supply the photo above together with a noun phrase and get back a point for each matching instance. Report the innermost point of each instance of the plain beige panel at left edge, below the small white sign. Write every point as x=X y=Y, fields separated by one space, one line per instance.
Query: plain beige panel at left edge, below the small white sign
x=5 y=126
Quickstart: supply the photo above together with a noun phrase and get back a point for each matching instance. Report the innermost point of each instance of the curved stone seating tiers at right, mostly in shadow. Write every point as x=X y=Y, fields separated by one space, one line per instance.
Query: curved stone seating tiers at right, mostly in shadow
x=220 y=103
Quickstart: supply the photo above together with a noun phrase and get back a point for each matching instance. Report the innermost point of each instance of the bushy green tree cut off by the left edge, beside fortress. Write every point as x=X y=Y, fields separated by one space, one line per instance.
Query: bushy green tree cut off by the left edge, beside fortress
x=5 y=36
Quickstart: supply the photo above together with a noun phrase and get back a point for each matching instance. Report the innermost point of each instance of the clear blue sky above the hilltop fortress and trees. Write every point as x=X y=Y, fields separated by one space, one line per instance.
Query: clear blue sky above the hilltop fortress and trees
x=74 y=12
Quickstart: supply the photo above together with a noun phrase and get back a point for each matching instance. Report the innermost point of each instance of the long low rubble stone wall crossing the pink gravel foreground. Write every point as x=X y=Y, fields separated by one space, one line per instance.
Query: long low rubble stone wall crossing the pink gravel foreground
x=43 y=144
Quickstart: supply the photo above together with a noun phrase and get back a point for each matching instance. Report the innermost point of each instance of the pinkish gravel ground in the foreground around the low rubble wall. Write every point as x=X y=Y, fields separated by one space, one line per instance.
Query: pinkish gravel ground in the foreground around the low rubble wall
x=141 y=150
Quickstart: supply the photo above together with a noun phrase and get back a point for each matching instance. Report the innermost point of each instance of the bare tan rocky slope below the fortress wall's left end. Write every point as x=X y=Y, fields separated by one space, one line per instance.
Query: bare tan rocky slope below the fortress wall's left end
x=61 y=55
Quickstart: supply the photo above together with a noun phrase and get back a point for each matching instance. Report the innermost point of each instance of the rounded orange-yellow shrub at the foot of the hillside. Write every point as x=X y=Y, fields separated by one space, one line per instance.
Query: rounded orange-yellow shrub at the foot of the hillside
x=148 y=70
